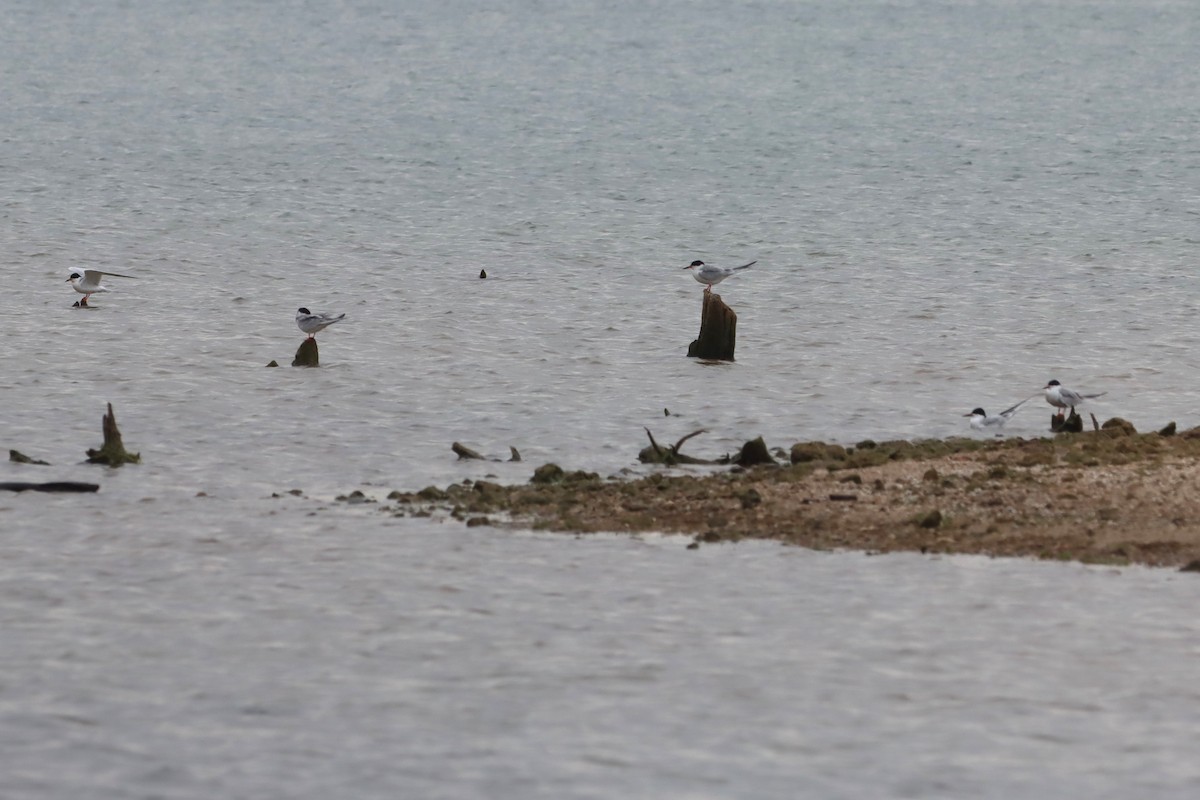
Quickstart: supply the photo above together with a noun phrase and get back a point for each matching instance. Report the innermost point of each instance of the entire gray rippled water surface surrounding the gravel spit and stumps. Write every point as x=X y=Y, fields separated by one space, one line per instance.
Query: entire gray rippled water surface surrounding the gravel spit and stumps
x=950 y=203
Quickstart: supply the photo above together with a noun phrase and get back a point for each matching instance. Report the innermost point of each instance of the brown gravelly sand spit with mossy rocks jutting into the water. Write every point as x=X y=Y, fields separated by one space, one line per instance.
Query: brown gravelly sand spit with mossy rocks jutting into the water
x=1109 y=497
